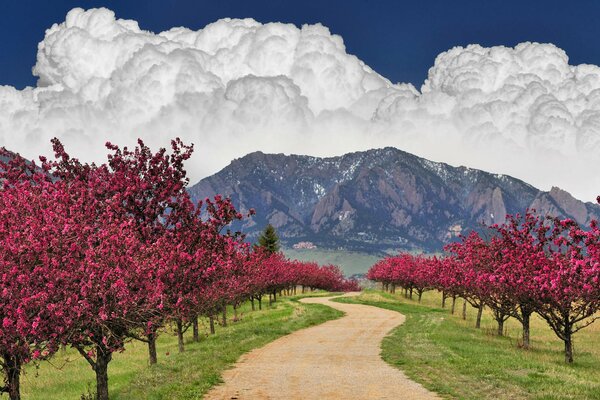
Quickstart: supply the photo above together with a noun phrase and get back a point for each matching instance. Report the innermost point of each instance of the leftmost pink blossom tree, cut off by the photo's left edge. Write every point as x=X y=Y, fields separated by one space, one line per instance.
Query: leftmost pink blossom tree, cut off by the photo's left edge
x=31 y=320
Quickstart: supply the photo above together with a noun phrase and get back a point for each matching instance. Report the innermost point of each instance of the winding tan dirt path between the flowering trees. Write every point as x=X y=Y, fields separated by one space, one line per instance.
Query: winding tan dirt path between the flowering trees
x=335 y=360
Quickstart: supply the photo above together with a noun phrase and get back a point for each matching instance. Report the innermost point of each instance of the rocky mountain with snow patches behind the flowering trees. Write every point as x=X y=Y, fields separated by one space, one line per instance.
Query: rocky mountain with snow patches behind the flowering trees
x=377 y=200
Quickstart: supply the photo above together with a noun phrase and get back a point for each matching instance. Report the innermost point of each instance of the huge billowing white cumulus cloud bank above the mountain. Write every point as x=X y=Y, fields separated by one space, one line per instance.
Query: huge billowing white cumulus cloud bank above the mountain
x=237 y=86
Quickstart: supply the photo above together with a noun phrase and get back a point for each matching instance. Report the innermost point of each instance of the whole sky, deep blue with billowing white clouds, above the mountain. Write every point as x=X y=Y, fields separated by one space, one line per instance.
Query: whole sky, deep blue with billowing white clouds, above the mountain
x=453 y=81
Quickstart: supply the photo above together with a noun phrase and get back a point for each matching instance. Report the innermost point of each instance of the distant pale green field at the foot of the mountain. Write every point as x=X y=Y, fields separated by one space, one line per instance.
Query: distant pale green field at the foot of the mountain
x=350 y=262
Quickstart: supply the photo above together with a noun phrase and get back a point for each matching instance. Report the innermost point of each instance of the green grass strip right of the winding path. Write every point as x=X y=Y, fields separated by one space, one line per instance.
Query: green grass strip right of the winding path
x=449 y=356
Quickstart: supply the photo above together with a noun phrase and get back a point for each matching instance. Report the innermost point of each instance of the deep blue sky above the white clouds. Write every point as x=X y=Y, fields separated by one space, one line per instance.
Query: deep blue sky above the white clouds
x=398 y=39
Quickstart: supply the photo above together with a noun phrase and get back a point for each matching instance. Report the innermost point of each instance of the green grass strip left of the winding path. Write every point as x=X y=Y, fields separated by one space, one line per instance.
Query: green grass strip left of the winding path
x=177 y=375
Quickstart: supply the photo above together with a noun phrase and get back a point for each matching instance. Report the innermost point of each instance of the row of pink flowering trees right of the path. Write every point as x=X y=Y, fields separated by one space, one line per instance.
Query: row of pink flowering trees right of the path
x=528 y=265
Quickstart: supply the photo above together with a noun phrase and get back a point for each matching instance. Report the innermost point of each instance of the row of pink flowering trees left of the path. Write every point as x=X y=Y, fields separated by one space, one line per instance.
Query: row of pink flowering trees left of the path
x=93 y=256
